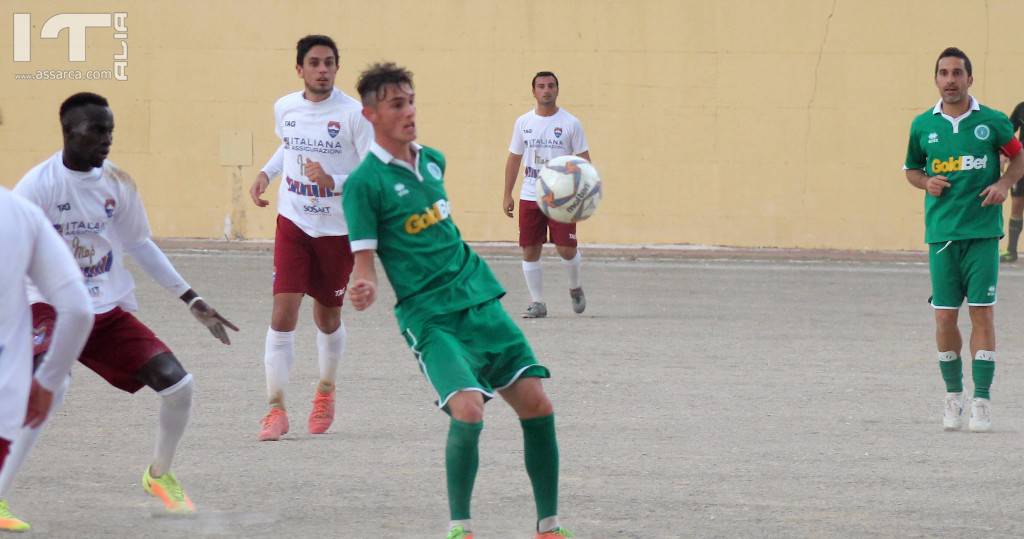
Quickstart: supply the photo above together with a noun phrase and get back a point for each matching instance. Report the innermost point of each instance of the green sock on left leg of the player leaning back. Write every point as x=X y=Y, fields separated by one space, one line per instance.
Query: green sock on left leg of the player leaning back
x=462 y=458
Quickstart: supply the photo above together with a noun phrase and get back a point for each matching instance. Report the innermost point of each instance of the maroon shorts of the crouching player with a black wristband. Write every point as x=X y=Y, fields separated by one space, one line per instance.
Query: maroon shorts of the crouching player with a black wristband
x=117 y=349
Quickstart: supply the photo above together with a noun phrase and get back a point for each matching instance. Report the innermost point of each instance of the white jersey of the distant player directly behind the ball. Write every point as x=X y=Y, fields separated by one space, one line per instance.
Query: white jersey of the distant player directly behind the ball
x=541 y=139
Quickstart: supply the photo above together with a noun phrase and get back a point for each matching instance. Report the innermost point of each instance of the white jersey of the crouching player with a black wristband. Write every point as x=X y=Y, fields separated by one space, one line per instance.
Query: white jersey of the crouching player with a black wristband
x=100 y=216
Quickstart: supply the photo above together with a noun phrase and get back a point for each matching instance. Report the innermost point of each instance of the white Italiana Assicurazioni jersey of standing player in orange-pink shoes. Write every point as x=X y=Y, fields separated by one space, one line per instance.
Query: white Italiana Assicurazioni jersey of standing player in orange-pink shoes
x=332 y=133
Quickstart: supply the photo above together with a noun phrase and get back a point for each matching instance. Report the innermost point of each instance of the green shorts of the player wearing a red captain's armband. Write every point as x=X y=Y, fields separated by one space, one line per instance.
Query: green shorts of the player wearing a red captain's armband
x=964 y=269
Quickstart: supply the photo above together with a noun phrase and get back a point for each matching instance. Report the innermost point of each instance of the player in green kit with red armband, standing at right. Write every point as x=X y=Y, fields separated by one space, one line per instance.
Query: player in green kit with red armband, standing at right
x=954 y=155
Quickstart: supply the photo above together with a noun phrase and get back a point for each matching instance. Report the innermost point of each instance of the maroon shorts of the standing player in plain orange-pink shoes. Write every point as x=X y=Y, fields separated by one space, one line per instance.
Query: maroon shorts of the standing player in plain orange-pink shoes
x=318 y=267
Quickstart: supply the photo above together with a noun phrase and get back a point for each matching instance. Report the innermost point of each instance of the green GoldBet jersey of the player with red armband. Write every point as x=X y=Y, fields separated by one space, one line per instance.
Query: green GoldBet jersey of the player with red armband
x=966 y=150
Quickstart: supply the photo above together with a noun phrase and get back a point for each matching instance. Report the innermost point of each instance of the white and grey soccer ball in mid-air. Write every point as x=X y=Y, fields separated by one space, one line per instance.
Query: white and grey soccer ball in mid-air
x=569 y=189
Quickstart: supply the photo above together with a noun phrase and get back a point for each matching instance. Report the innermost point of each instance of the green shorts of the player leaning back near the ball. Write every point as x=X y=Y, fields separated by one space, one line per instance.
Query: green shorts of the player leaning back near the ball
x=480 y=349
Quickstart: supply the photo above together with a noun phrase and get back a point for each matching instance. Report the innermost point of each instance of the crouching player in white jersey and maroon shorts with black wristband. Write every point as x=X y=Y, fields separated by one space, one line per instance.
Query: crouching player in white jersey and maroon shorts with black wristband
x=97 y=210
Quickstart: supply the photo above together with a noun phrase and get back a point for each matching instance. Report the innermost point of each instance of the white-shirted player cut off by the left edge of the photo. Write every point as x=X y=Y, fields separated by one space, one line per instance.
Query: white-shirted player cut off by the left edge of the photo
x=32 y=250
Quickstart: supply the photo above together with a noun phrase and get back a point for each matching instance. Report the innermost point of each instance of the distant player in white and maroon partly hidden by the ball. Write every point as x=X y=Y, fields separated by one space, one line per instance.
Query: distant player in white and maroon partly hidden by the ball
x=542 y=135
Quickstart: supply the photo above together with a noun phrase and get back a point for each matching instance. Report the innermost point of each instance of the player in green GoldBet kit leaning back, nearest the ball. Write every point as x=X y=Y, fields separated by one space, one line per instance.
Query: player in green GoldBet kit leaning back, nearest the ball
x=448 y=301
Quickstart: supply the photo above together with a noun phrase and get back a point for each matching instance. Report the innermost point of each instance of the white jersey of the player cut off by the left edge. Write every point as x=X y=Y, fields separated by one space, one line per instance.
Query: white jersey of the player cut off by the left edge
x=30 y=248
